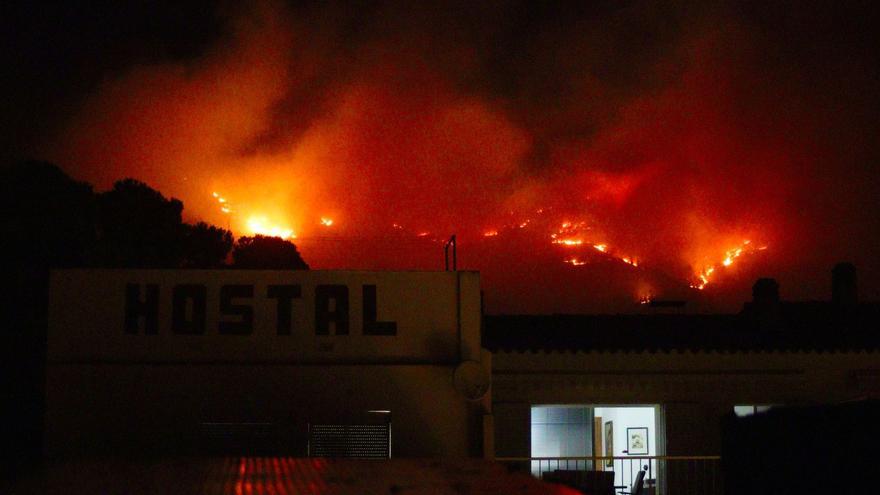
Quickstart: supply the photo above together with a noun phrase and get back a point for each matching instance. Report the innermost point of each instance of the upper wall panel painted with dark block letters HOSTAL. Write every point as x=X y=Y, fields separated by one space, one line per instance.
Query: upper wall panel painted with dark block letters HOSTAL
x=257 y=316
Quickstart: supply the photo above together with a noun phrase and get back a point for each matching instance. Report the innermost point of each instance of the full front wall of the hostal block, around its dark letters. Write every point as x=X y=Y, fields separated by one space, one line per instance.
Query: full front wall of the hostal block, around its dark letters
x=114 y=389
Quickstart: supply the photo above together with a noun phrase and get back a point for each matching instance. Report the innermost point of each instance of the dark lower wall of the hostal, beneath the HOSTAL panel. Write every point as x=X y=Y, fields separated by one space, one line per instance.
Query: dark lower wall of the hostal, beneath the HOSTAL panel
x=105 y=408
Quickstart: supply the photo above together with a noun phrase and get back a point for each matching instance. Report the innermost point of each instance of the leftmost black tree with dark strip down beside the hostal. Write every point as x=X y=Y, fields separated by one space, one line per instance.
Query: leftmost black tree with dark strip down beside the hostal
x=46 y=221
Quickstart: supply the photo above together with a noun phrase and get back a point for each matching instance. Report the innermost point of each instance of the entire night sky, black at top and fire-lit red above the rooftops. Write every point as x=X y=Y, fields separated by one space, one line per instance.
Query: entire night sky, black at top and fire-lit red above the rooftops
x=673 y=136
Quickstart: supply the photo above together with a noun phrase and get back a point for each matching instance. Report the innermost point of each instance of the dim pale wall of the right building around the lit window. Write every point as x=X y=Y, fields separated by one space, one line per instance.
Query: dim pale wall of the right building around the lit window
x=695 y=389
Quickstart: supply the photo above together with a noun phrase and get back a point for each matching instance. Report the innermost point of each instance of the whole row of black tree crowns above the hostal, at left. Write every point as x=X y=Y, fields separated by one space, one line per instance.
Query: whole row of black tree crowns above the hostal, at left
x=53 y=221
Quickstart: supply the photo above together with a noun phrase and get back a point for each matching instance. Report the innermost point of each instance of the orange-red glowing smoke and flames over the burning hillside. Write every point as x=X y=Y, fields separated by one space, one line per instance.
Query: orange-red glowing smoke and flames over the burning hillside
x=693 y=175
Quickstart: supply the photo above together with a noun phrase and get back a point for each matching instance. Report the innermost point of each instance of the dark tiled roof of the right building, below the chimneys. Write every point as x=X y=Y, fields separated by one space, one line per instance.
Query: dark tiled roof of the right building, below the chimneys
x=786 y=326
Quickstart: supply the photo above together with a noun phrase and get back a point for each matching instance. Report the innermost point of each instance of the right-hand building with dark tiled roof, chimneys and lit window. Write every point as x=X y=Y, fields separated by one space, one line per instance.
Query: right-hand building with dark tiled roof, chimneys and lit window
x=621 y=392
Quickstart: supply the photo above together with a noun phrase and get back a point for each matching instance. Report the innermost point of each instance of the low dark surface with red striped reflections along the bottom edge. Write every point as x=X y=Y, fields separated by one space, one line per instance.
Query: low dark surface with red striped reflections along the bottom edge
x=282 y=476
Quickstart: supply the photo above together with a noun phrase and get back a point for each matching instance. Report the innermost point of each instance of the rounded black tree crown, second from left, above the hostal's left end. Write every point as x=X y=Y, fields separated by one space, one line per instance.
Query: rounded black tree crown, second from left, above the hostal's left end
x=139 y=228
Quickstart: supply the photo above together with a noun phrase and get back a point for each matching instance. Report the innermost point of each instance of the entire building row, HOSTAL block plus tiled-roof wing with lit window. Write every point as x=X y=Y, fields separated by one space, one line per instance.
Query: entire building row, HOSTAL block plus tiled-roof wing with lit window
x=159 y=364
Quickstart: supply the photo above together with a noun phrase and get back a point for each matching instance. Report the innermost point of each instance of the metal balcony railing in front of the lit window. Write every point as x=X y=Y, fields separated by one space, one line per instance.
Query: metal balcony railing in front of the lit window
x=665 y=475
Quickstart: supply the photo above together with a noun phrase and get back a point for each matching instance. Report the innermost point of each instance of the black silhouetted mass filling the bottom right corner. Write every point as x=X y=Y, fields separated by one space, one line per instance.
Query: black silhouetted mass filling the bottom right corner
x=788 y=451
